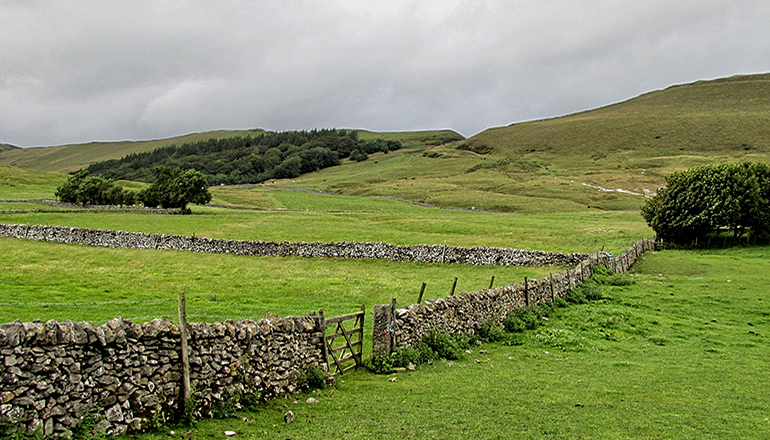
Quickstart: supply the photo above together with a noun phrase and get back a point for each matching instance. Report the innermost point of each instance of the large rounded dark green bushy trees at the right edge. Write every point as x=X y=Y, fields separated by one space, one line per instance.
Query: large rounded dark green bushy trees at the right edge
x=703 y=202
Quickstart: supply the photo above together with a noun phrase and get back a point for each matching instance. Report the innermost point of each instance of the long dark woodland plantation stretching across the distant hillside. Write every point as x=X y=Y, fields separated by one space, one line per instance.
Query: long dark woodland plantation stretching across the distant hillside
x=249 y=159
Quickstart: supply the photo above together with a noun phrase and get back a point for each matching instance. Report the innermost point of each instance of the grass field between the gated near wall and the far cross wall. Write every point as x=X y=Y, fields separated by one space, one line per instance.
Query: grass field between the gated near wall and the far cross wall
x=40 y=272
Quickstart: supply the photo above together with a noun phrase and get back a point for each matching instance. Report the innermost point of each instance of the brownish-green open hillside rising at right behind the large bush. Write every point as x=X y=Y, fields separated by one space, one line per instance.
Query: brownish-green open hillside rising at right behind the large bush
x=557 y=164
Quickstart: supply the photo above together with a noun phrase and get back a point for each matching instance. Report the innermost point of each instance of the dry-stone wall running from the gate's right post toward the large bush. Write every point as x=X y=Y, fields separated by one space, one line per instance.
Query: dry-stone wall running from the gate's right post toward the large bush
x=464 y=314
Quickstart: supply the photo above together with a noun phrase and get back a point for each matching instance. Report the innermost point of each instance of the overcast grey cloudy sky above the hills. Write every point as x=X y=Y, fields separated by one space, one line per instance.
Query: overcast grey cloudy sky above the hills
x=74 y=71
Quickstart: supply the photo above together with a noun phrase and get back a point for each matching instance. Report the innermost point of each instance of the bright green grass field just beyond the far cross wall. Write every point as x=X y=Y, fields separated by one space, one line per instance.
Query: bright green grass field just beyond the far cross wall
x=570 y=232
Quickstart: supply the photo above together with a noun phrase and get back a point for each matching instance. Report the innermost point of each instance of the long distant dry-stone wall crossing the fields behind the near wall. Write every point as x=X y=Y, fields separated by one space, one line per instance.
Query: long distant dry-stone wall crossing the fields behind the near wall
x=363 y=251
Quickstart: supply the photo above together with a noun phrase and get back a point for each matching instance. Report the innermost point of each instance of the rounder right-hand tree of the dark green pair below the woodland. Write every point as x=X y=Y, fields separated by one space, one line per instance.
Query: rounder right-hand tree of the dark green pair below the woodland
x=176 y=188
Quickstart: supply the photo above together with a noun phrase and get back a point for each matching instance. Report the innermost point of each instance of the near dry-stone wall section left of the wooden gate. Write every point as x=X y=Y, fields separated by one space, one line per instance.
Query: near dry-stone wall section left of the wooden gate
x=53 y=373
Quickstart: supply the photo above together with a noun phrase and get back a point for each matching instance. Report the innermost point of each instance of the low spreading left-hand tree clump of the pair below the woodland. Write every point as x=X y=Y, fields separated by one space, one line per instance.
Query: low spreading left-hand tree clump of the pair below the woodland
x=84 y=189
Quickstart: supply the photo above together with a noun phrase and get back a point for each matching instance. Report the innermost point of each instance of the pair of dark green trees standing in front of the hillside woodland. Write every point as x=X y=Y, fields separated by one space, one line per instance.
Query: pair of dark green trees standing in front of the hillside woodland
x=173 y=188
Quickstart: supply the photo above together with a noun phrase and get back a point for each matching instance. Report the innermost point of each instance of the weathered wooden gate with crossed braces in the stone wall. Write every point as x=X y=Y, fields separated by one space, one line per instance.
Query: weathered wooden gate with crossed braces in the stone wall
x=344 y=345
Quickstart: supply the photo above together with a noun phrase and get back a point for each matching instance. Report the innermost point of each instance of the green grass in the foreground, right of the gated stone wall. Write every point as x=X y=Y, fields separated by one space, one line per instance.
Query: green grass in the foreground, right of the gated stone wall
x=642 y=363
